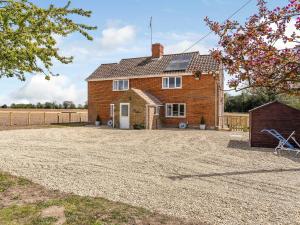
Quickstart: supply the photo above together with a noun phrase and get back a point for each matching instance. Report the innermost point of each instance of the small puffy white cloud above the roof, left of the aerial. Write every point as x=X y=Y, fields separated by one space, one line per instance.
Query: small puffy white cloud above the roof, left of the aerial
x=113 y=37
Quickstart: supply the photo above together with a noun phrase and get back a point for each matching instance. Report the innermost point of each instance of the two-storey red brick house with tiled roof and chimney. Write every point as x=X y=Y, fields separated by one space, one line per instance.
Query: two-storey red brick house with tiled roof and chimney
x=157 y=91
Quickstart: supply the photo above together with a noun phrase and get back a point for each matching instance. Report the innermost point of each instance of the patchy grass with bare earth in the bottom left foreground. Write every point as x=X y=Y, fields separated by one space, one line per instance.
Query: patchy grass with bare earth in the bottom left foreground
x=23 y=202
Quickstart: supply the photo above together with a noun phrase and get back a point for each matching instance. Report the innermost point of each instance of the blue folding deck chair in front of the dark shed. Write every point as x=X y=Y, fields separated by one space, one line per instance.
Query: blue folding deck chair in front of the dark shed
x=284 y=144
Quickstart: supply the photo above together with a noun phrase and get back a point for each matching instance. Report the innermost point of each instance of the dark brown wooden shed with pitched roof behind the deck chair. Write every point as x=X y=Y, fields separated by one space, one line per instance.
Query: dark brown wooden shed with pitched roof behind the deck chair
x=273 y=115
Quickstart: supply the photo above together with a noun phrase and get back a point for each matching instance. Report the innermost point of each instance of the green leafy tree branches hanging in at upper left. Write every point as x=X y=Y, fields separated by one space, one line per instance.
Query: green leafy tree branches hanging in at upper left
x=27 y=36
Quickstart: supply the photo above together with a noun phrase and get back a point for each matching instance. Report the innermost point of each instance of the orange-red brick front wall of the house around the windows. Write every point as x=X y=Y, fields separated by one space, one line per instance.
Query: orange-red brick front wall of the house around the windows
x=199 y=96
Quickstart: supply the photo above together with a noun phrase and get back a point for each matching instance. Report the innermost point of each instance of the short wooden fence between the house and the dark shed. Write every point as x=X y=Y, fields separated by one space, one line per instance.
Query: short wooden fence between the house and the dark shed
x=235 y=121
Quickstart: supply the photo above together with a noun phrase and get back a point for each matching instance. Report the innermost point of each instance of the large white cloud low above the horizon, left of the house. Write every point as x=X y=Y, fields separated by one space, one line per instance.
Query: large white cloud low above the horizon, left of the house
x=57 y=89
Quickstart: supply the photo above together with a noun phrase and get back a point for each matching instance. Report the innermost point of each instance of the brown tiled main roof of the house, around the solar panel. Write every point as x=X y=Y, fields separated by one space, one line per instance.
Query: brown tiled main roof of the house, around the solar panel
x=147 y=66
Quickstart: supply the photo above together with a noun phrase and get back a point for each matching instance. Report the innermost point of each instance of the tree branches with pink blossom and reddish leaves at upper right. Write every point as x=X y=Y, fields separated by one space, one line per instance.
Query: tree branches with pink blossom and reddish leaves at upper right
x=249 y=53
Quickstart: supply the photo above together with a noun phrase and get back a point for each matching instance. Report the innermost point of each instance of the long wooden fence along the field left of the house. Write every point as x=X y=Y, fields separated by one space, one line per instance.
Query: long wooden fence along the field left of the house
x=27 y=118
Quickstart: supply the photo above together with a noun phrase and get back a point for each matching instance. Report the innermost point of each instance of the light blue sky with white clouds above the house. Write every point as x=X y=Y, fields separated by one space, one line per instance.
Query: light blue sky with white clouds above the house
x=123 y=32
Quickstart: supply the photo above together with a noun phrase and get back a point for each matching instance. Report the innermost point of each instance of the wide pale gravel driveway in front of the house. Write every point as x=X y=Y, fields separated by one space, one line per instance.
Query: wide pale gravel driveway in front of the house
x=208 y=176
